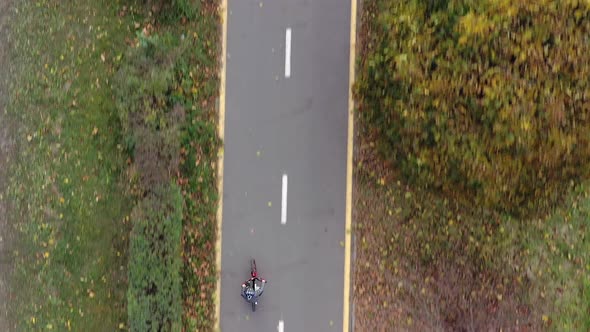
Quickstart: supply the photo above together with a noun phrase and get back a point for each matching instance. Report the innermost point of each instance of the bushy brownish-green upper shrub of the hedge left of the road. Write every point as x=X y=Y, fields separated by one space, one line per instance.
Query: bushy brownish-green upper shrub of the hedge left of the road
x=150 y=118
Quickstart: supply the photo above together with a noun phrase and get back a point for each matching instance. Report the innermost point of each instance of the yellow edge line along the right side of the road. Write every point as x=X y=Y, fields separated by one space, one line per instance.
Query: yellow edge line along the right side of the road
x=349 y=157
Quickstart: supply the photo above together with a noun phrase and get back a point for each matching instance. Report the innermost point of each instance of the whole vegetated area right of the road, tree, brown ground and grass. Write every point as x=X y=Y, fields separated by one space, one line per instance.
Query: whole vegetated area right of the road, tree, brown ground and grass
x=471 y=201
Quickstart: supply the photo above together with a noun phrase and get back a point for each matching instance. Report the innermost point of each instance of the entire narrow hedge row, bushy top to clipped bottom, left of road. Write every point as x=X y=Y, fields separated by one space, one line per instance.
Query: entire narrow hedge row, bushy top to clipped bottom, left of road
x=152 y=124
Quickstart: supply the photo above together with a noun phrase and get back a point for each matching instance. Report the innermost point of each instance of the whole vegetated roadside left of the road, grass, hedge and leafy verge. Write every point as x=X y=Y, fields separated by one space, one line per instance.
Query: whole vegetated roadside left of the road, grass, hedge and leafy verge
x=114 y=186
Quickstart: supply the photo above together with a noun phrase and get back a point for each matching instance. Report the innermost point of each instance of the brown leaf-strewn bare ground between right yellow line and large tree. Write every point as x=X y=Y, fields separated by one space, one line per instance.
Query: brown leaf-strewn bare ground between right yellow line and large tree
x=422 y=277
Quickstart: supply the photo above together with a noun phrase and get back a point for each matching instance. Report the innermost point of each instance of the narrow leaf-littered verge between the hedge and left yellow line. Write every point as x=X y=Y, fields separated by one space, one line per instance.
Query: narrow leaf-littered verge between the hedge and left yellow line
x=199 y=82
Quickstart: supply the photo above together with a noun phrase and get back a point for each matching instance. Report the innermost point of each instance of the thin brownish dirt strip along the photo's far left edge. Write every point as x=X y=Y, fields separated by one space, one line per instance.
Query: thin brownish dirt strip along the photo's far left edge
x=6 y=151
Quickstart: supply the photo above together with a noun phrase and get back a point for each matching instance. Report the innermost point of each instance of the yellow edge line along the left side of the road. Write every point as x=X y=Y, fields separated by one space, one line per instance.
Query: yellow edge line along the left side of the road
x=221 y=133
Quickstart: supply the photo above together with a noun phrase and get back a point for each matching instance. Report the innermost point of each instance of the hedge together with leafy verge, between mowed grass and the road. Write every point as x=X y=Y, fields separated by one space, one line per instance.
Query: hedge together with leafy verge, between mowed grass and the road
x=166 y=97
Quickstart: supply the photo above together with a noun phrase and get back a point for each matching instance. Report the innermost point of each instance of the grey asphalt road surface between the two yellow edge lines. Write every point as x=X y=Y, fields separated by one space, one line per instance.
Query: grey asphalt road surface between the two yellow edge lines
x=296 y=126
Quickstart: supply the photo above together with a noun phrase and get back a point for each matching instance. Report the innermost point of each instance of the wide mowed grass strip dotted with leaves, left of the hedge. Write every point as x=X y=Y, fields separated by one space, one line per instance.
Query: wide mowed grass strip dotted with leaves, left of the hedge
x=71 y=211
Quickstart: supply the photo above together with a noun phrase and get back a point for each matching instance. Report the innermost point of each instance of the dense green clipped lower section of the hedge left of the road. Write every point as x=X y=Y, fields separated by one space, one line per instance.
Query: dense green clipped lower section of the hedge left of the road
x=154 y=294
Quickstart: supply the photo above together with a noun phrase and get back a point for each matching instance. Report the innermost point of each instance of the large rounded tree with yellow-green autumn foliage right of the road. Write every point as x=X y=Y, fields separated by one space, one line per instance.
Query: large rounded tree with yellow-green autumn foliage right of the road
x=489 y=99
